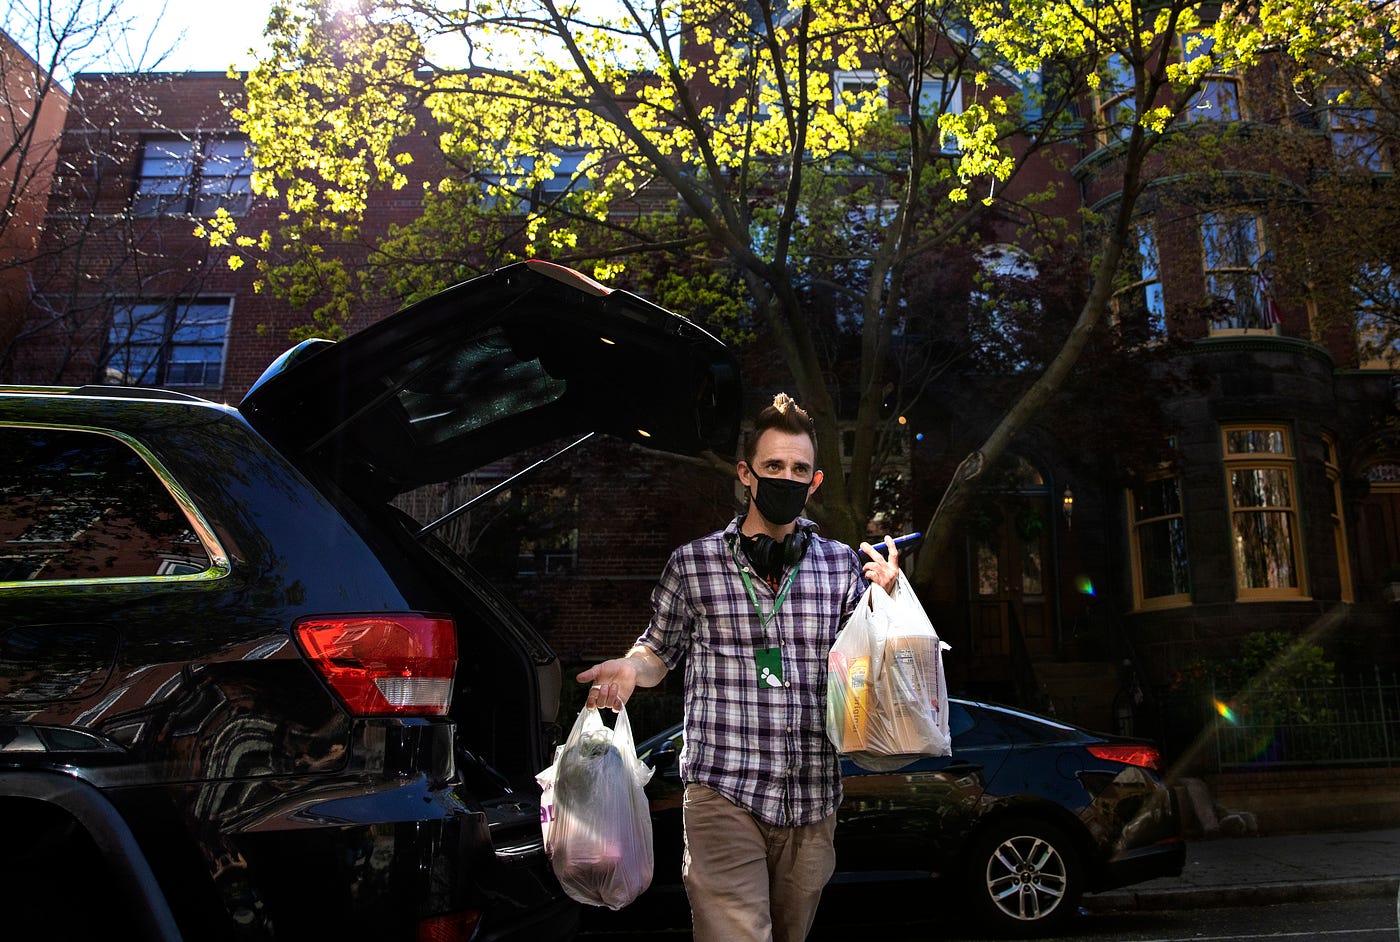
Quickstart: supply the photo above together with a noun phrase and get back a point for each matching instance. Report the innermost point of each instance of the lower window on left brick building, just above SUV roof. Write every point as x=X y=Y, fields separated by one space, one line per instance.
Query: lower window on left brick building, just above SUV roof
x=167 y=344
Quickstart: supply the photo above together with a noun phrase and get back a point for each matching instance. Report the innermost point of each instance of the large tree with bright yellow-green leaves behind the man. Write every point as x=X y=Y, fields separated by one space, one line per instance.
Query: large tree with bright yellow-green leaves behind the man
x=783 y=170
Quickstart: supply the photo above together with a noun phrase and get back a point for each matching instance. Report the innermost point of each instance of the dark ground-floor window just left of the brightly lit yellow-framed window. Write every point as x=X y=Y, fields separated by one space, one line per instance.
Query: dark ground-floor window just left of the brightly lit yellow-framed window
x=1161 y=577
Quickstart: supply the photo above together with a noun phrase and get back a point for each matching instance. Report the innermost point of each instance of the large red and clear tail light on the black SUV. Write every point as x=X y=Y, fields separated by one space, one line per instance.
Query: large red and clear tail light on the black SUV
x=384 y=664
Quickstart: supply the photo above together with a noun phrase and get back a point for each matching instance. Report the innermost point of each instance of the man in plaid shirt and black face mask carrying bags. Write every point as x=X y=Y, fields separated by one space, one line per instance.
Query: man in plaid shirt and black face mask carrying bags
x=755 y=610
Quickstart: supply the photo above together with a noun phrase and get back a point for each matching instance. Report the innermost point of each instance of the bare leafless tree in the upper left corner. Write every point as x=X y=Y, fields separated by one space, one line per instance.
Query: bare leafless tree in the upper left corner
x=58 y=289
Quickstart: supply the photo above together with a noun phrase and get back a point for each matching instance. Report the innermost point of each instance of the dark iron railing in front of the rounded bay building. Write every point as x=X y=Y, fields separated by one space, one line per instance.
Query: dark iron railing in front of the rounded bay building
x=1339 y=724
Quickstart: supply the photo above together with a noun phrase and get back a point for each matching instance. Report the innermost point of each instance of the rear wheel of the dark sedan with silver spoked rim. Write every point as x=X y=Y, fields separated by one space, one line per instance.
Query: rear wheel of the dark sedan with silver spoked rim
x=1025 y=877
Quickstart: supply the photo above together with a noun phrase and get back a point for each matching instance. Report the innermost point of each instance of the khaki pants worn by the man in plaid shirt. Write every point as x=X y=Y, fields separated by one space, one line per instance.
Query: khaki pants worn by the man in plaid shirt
x=748 y=881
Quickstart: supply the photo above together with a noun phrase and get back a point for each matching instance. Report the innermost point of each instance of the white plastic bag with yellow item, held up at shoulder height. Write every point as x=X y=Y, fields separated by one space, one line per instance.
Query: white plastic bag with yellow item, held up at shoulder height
x=887 y=696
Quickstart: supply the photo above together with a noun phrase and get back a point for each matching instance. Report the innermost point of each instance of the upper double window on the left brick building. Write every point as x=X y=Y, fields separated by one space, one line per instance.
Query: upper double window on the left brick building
x=183 y=177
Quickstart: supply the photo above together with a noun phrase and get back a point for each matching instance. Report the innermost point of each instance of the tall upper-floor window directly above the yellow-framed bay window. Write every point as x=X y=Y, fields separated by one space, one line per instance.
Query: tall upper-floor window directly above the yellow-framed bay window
x=1235 y=274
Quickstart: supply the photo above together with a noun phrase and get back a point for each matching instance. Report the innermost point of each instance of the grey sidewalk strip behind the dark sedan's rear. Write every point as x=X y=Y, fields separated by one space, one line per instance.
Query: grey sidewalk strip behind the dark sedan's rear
x=1255 y=870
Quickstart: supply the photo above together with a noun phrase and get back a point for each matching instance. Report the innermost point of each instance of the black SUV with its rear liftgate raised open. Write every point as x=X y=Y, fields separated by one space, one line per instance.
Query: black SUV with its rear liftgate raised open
x=243 y=696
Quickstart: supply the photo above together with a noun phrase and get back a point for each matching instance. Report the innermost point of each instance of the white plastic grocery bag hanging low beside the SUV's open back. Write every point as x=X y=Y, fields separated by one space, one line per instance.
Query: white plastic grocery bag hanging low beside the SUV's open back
x=594 y=814
